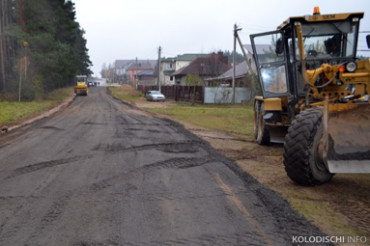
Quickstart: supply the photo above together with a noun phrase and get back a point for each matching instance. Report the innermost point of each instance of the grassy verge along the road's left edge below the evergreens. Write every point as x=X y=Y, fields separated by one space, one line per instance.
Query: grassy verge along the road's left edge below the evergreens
x=12 y=111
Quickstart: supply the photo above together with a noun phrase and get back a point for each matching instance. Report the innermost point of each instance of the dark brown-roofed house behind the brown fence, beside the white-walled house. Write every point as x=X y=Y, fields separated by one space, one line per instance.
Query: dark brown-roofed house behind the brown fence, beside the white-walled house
x=206 y=67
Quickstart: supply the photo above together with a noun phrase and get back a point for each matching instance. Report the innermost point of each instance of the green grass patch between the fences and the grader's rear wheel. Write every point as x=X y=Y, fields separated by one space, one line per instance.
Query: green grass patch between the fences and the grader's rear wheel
x=234 y=119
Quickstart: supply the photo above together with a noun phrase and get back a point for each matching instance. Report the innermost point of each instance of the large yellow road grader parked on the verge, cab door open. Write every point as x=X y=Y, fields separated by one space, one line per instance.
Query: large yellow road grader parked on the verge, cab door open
x=315 y=96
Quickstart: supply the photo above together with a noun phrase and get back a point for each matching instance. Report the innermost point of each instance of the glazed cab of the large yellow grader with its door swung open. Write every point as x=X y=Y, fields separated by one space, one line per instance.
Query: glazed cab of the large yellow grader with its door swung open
x=332 y=40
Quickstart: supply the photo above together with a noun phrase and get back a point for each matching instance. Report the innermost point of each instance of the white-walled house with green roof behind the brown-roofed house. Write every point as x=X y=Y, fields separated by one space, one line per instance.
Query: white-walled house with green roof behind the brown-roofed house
x=172 y=64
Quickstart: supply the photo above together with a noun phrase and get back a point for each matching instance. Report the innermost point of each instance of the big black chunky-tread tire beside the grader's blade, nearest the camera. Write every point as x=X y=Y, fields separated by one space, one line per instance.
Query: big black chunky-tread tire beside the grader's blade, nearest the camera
x=301 y=158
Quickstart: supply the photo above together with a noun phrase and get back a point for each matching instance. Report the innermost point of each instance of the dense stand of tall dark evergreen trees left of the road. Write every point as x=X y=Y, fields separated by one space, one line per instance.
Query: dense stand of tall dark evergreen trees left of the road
x=50 y=48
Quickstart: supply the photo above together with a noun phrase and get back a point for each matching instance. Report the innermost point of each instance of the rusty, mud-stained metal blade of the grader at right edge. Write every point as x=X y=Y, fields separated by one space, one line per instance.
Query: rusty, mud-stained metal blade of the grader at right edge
x=348 y=138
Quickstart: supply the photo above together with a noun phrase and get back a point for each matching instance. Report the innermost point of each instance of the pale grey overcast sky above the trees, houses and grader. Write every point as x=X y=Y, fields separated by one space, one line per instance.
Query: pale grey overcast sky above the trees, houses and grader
x=126 y=29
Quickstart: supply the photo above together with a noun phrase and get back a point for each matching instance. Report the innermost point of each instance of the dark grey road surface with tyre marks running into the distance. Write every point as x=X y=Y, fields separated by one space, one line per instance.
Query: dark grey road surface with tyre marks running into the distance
x=103 y=173
